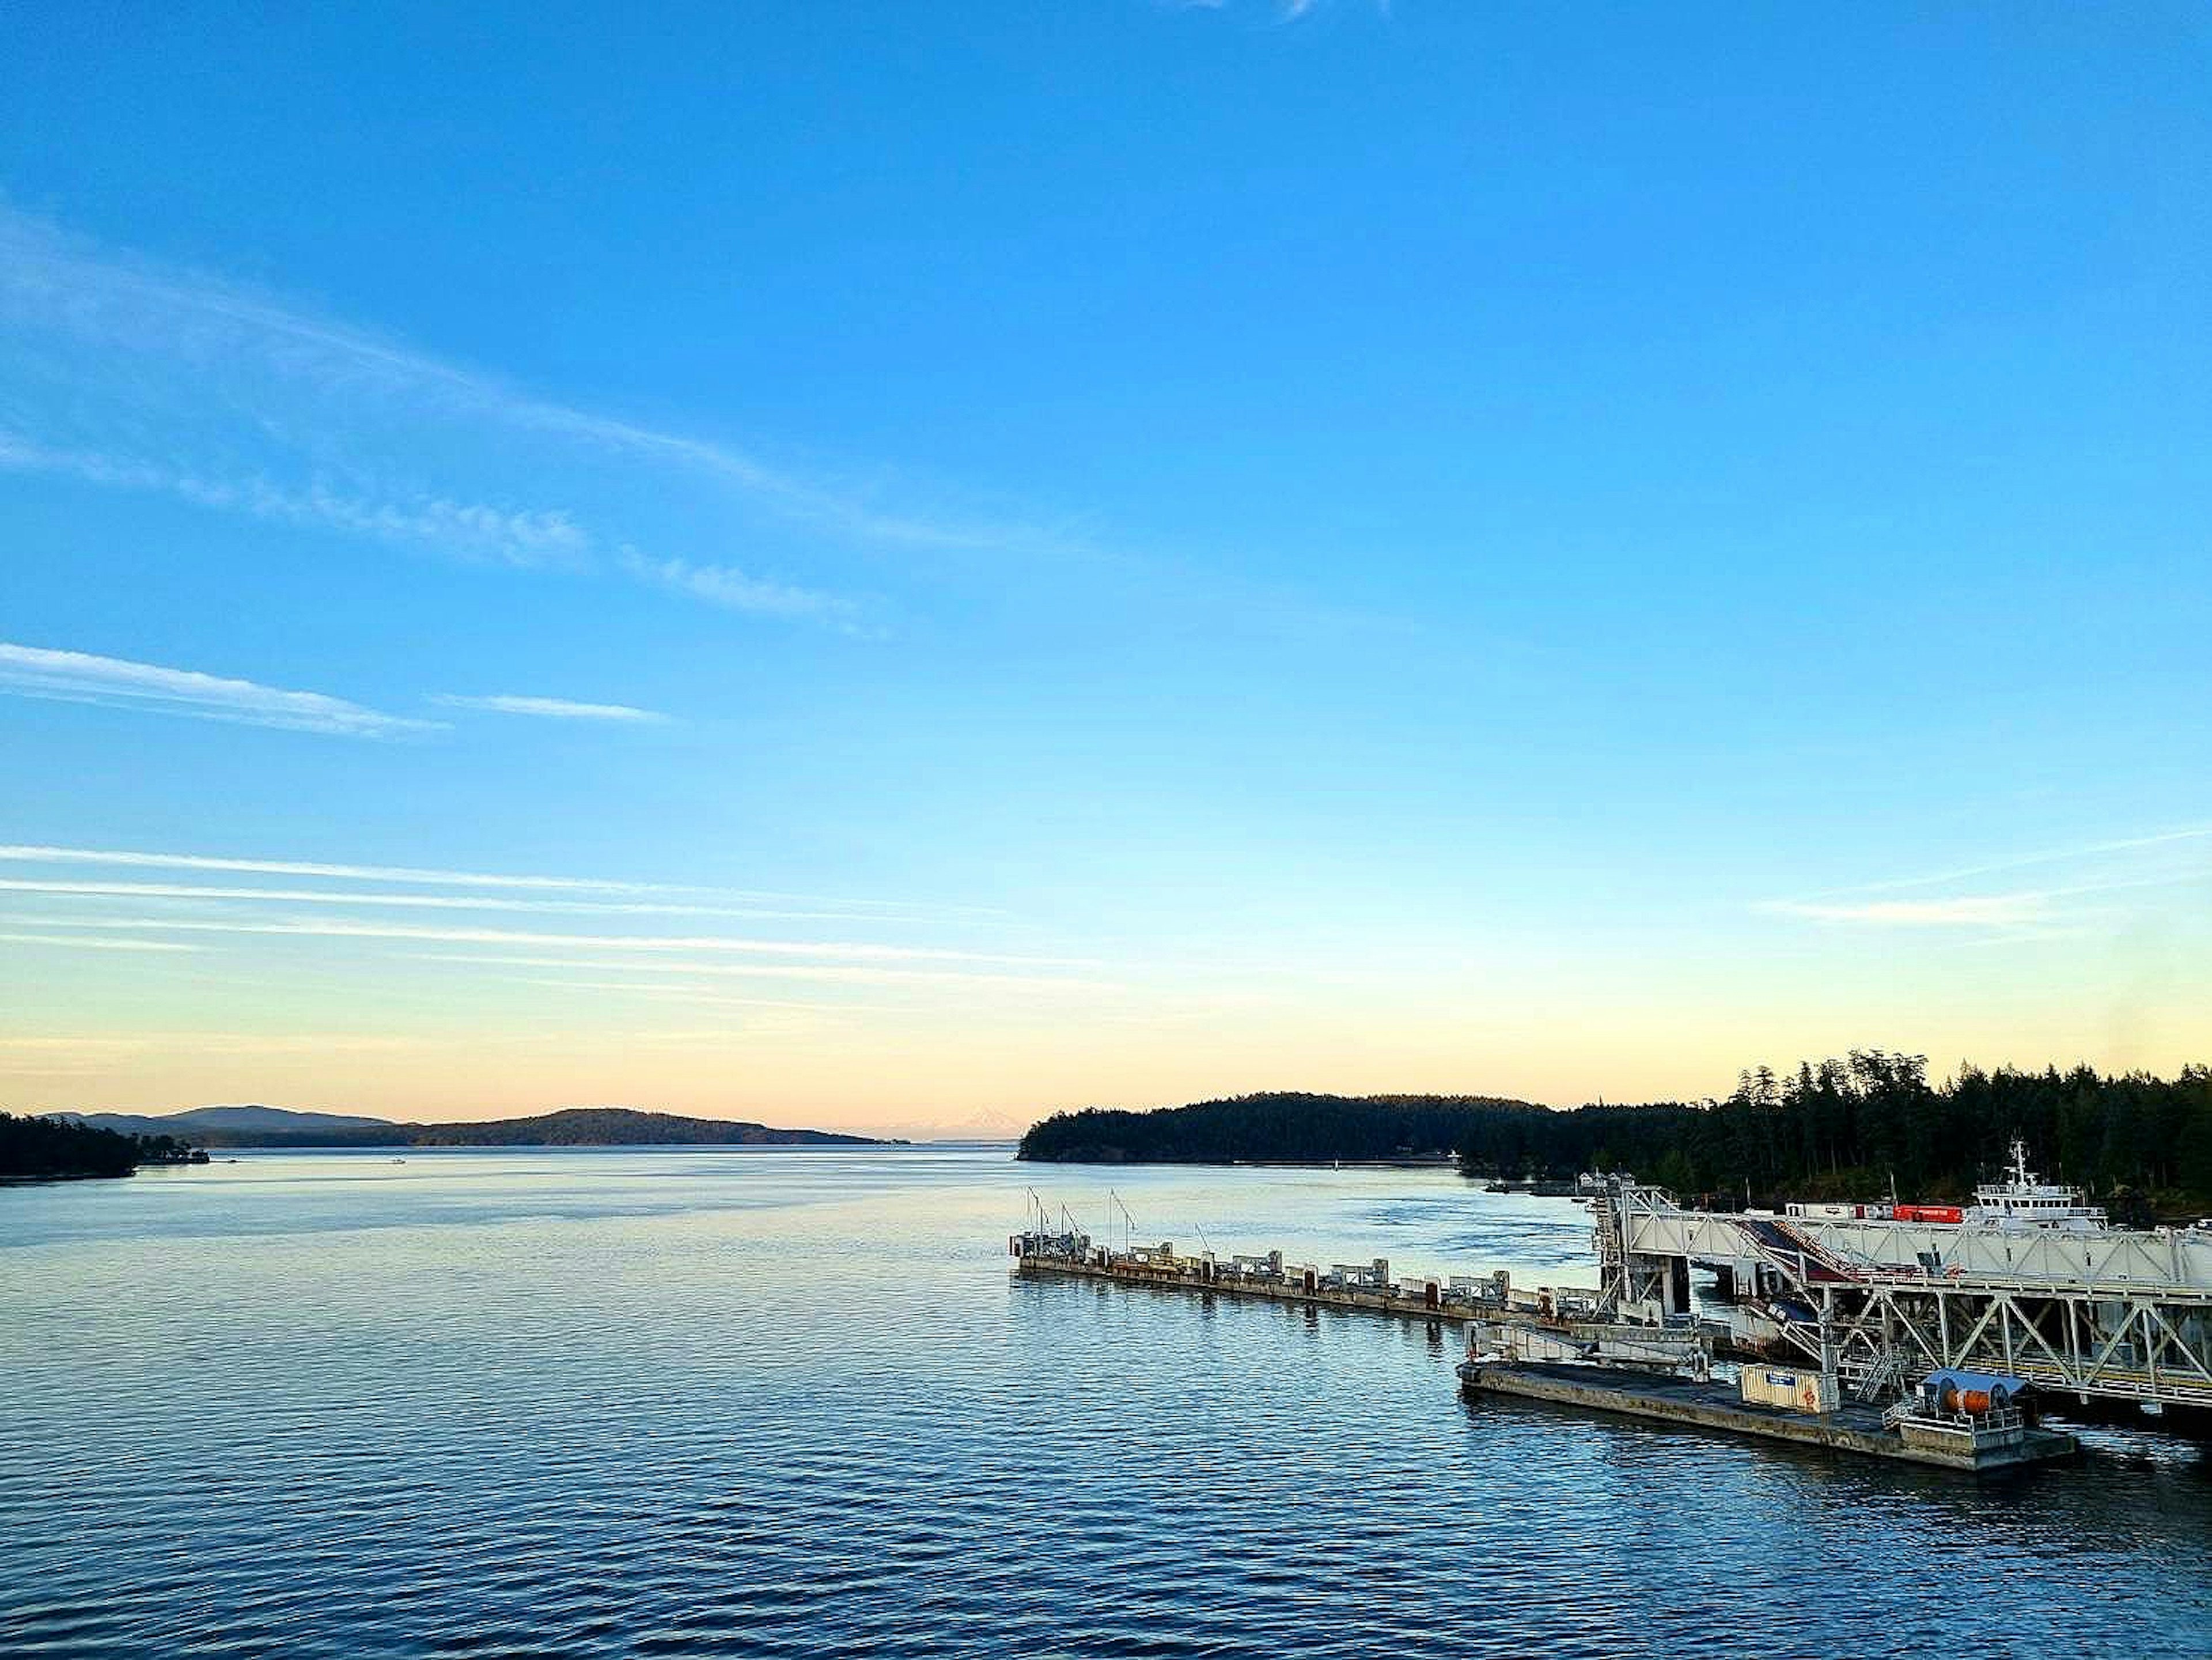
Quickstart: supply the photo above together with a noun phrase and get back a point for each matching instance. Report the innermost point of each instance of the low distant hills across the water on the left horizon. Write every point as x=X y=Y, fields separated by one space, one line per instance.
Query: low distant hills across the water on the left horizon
x=570 y=1128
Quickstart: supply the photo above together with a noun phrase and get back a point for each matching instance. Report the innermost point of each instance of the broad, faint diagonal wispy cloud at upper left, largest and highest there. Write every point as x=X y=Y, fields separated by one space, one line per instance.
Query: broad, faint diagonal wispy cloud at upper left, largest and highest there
x=174 y=382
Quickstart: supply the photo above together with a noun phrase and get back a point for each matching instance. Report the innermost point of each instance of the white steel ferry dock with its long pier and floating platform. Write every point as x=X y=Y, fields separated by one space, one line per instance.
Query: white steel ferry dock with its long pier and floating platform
x=1923 y=1342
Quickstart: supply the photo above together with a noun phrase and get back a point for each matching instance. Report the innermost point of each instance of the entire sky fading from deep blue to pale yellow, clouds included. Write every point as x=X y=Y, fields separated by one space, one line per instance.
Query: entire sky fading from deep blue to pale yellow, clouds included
x=988 y=559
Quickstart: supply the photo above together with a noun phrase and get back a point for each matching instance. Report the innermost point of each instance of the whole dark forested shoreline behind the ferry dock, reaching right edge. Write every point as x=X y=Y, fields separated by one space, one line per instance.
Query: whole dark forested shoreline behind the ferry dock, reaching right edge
x=1844 y=1128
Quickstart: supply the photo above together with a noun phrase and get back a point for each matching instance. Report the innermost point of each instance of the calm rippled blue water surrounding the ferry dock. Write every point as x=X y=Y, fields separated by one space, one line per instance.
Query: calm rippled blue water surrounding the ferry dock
x=791 y=1404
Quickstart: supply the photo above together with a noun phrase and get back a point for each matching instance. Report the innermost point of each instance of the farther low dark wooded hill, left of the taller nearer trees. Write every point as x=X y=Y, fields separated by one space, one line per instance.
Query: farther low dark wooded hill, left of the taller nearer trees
x=1271 y=1130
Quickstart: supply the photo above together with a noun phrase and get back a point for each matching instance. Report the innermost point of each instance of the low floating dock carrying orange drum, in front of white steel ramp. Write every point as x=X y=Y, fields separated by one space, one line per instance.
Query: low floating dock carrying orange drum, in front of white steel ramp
x=1952 y=1444
